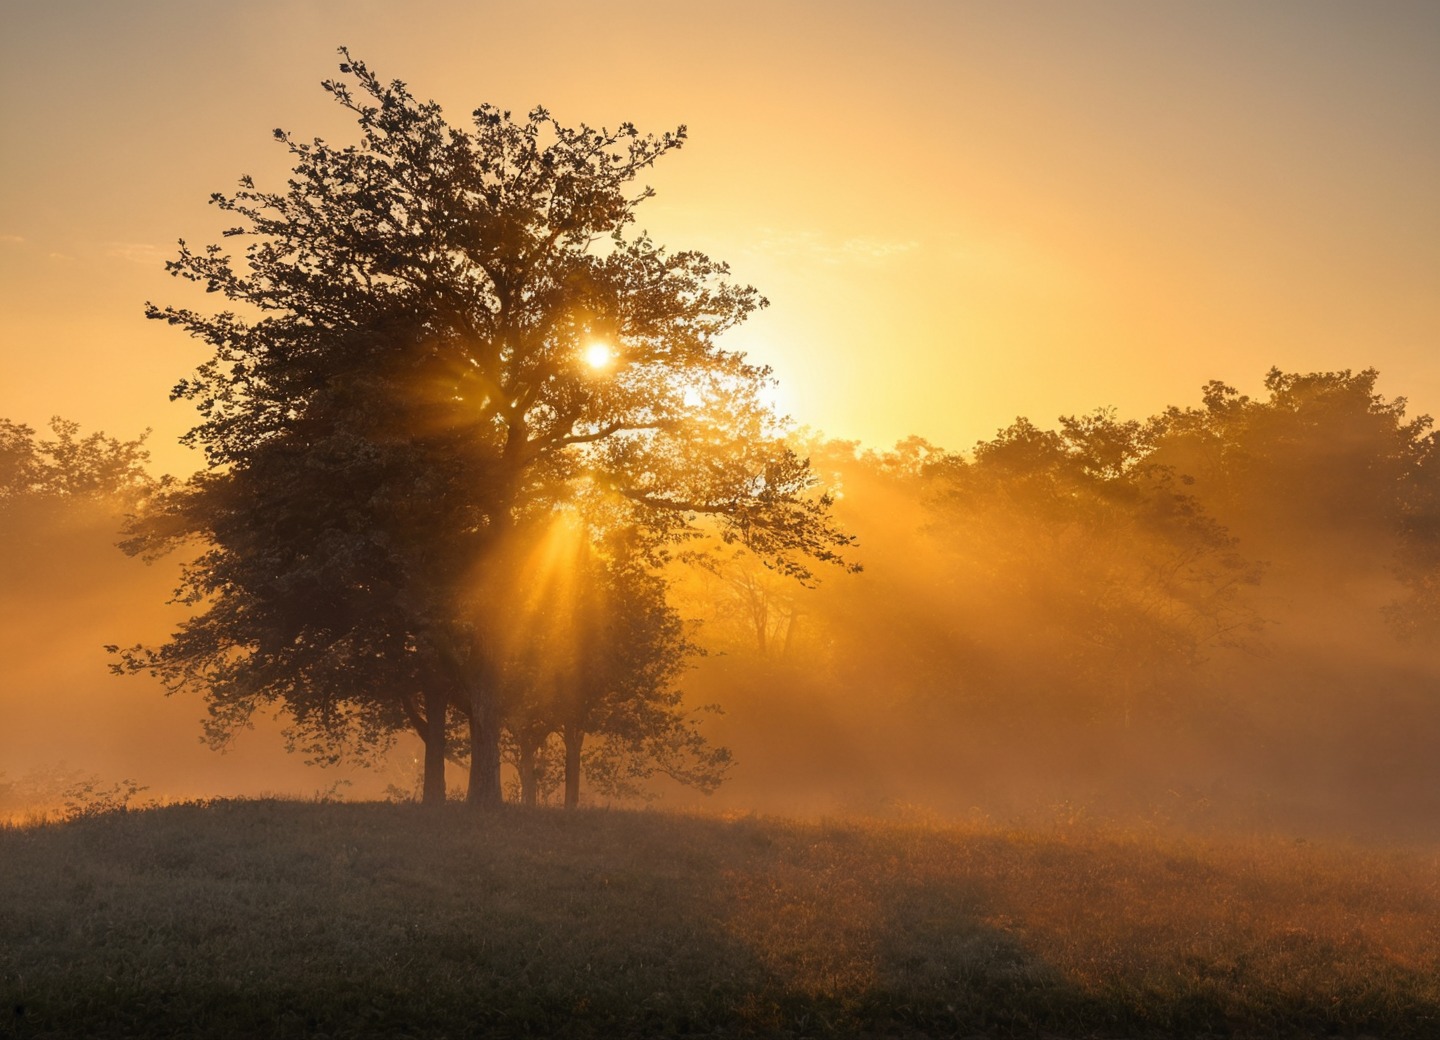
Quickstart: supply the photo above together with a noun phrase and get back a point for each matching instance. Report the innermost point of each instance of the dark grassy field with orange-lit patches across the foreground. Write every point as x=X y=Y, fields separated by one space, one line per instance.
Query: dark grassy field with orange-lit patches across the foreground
x=287 y=920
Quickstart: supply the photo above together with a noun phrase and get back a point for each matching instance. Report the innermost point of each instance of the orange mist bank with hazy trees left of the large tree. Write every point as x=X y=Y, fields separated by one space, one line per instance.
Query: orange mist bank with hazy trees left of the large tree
x=67 y=591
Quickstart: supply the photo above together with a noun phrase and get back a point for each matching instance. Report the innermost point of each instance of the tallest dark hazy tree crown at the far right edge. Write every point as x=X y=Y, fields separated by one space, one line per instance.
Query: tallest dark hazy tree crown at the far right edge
x=1328 y=480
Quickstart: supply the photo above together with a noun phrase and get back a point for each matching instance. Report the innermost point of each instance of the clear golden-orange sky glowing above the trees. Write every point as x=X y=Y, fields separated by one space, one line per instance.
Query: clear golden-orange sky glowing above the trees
x=961 y=212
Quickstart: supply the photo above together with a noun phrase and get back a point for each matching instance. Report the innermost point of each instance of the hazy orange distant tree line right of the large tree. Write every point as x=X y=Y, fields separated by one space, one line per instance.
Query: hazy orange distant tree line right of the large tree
x=1239 y=593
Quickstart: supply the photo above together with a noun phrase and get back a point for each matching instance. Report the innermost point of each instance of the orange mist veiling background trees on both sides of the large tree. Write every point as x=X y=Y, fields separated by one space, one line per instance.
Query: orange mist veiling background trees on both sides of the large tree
x=1215 y=619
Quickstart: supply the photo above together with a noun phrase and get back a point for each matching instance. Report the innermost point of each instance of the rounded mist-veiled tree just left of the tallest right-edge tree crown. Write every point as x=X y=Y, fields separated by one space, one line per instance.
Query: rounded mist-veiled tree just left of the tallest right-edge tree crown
x=1130 y=578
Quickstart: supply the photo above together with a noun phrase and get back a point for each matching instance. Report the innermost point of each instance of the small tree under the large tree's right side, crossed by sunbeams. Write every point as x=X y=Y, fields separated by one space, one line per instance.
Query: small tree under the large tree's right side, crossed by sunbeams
x=591 y=647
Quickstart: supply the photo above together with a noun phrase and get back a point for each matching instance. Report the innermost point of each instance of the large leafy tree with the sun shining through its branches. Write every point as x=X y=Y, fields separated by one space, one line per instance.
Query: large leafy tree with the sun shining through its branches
x=444 y=335
